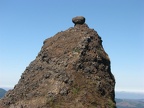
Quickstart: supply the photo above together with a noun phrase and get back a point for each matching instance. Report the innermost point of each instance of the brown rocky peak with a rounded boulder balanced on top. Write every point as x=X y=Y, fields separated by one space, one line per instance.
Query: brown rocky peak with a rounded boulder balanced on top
x=72 y=70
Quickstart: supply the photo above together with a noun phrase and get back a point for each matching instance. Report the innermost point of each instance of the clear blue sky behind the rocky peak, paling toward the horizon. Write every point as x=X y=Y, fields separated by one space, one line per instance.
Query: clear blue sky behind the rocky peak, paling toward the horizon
x=25 y=24
